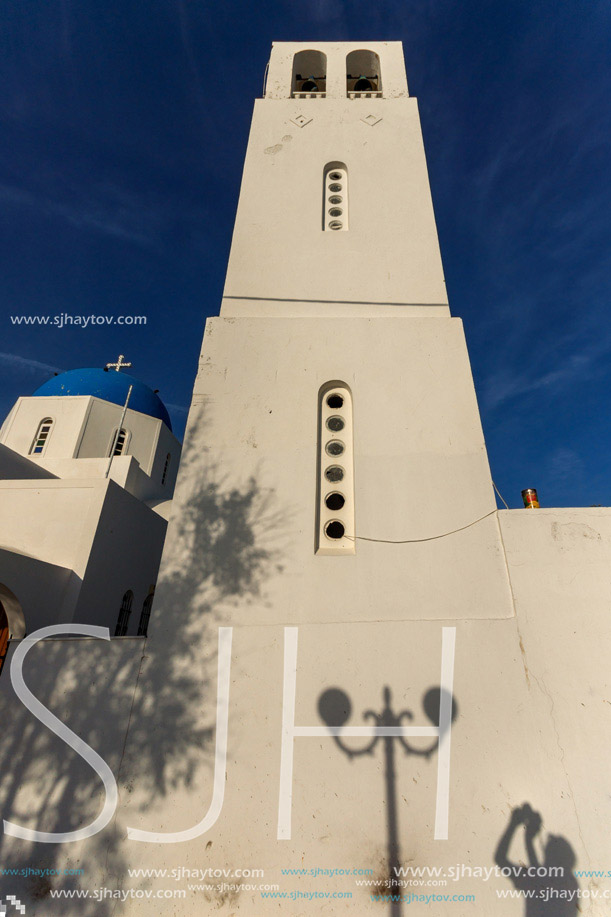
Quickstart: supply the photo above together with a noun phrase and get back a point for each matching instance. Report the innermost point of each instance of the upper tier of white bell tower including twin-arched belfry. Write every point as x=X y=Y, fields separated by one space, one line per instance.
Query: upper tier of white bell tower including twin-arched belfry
x=301 y=249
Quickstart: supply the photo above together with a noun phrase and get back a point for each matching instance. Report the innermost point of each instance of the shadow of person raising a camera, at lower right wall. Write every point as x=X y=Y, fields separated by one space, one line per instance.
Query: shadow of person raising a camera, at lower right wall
x=545 y=895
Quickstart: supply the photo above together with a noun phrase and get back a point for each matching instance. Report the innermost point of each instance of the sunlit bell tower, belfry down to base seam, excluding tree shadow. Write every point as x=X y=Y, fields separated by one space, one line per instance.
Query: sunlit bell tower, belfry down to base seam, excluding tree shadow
x=335 y=295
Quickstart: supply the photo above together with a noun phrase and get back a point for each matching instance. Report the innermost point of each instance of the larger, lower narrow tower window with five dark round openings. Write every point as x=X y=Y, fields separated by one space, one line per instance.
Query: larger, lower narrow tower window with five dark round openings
x=335 y=532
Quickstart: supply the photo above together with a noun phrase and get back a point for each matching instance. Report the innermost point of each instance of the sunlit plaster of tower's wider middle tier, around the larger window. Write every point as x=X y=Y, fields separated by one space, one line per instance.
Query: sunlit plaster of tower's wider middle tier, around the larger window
x=420 y=462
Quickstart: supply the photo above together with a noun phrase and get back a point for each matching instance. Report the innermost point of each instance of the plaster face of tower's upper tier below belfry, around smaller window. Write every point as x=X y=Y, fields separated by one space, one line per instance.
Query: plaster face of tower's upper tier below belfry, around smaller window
x=390 y=255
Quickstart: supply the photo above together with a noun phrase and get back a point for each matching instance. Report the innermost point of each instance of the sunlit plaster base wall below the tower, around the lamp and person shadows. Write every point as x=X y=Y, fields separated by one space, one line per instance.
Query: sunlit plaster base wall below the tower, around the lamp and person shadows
x=531 y=693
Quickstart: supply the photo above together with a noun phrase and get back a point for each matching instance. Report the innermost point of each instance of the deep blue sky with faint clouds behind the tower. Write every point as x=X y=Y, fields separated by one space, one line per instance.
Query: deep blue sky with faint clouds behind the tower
x=122 y=136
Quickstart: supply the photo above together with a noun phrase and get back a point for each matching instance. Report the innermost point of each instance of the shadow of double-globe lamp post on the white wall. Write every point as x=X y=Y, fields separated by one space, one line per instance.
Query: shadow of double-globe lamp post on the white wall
x=335 y=708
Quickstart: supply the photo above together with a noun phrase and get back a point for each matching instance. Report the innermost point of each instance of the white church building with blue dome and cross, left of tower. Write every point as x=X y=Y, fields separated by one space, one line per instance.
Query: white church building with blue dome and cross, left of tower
x=84 y=499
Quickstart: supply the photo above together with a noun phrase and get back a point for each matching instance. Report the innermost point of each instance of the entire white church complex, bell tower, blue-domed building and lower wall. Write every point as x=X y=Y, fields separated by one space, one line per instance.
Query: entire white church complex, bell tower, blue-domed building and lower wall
x=355 y=663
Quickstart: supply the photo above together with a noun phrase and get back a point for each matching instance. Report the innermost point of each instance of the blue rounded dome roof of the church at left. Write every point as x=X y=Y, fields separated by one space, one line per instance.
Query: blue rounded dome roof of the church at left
x=109 y=386
